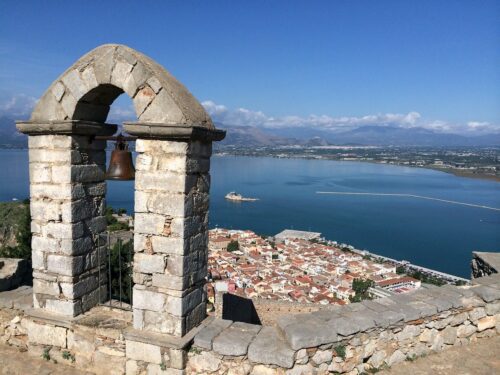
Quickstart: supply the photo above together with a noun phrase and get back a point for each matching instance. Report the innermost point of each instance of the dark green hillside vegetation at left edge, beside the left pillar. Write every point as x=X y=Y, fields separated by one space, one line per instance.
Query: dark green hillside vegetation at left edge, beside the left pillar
x=15 y=230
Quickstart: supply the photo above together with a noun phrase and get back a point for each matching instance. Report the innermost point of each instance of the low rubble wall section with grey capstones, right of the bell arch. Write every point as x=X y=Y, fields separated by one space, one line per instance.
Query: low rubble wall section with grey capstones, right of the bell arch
x=352 y=339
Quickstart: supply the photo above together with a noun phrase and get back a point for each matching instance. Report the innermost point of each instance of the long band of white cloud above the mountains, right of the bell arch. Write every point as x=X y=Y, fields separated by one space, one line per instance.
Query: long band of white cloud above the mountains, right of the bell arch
x=243 y=116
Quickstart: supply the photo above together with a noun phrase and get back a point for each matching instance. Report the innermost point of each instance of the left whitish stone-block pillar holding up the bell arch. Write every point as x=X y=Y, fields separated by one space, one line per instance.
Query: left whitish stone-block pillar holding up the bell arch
x=67 y=192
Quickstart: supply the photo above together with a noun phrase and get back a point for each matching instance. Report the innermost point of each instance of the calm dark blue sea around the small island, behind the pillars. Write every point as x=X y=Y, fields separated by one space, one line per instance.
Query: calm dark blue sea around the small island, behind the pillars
x=429 y=233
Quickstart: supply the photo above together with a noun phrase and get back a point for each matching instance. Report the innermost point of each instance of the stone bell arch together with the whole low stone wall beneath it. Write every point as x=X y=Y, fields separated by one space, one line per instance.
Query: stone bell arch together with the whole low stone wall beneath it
x=167 y=330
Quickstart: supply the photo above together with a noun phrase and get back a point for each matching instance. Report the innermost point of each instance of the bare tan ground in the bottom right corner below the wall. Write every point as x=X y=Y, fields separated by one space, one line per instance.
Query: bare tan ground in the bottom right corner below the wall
x=482 y=357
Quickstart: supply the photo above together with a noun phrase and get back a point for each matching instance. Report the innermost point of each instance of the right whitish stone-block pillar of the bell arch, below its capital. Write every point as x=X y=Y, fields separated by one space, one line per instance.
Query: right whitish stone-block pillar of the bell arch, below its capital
x=171 y=234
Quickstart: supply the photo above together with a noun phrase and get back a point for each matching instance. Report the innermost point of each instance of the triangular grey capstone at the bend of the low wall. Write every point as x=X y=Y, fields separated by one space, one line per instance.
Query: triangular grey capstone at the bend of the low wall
x=269 y=348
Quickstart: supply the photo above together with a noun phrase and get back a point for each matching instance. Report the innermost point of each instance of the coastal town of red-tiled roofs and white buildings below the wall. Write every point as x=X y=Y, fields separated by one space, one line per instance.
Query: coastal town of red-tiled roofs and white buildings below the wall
x=298 y=266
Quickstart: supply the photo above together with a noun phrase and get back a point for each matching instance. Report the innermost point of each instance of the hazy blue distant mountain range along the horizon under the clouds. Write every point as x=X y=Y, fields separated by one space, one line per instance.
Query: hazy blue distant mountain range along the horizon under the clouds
x=250 y=136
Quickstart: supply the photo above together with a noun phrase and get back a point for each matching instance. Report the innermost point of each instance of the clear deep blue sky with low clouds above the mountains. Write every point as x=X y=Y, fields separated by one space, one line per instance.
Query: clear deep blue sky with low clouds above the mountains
x=330 y=64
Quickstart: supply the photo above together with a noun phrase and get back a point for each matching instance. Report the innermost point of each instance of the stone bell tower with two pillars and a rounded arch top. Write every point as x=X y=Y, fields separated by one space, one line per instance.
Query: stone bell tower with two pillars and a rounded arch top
x=67 y=171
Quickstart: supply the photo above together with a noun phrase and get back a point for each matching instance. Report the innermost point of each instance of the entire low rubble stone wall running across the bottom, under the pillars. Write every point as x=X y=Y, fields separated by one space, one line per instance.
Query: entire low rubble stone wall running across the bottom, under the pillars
x=356 y=338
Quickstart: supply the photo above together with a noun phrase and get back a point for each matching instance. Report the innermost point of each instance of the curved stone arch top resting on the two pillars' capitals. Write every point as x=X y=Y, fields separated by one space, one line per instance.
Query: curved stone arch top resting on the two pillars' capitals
x=86 y=90
